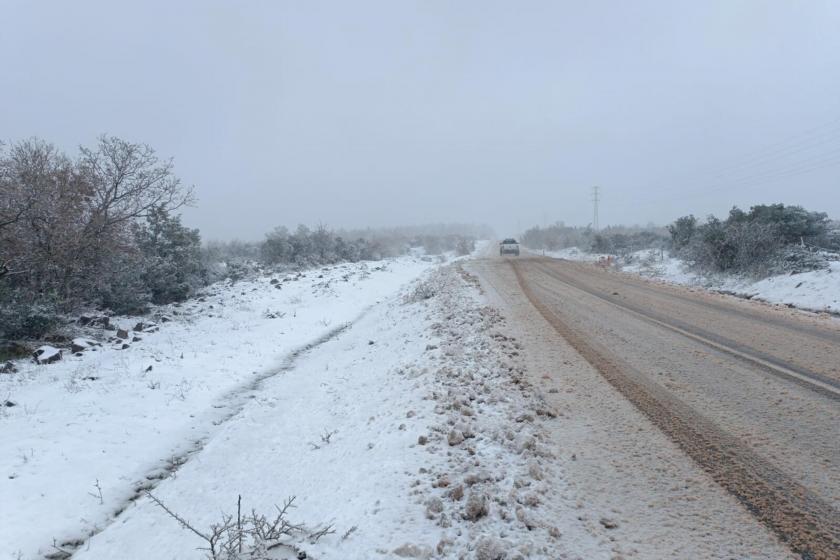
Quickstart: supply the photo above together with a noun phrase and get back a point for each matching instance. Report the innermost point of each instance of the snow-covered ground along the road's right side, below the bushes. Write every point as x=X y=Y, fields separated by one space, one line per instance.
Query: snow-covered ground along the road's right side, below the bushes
x=817 y=291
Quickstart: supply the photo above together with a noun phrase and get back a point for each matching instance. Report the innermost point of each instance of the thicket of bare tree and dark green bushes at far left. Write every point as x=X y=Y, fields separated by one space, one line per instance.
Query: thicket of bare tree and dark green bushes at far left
x=93 y=230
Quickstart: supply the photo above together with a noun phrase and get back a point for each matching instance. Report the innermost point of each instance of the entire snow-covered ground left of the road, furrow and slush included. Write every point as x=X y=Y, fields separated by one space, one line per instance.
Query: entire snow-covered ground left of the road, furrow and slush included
x=385 y=398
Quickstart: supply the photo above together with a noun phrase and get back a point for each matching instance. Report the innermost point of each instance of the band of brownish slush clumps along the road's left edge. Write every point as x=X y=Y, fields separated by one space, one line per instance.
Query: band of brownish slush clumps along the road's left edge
x=494 y=424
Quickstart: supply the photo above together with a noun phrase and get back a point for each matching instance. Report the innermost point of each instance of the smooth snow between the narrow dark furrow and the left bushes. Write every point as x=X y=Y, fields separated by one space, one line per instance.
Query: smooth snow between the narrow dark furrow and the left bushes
x=82 y=436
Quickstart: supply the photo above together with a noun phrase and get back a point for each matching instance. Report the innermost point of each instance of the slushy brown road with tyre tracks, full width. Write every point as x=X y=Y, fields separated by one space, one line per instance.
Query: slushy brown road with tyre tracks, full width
x=749 y=392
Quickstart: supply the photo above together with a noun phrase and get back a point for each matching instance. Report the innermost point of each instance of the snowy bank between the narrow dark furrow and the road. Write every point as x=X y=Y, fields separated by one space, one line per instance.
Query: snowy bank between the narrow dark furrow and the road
x=413 y=433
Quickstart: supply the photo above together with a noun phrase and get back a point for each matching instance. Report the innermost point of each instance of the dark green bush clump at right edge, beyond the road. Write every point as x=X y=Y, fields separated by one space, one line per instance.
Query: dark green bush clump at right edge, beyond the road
x=767 y=239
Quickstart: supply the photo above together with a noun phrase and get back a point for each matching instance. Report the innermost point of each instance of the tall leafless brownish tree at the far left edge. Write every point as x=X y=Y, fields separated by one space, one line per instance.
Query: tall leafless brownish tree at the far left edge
x=67 y=225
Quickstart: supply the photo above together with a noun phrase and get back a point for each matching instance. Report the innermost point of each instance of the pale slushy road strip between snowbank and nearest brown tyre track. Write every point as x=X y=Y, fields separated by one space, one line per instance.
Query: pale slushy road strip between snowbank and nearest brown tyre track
x=635 y=490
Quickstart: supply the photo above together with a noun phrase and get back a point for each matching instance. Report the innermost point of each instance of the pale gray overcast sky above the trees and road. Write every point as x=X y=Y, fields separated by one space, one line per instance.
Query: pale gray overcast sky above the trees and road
x=384 y=113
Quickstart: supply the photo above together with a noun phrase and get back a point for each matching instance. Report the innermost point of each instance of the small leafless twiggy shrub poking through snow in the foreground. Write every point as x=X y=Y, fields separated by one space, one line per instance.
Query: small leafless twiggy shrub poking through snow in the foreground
x=251 y=536
